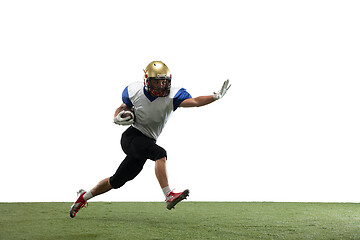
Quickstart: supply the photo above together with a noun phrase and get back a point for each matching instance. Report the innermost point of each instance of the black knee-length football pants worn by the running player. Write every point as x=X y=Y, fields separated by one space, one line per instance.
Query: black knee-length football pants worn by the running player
x=138 y=149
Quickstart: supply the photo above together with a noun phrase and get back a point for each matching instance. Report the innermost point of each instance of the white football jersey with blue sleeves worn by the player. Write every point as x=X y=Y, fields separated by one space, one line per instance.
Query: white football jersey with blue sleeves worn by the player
x=152 y=113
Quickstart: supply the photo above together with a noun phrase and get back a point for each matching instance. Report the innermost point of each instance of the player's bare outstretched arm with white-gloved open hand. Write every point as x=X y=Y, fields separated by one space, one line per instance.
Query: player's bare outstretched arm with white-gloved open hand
x=204 y=100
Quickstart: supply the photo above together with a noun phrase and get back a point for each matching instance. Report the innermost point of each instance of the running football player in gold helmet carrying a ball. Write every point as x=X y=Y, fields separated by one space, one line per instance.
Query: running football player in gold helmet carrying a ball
x=153 y=101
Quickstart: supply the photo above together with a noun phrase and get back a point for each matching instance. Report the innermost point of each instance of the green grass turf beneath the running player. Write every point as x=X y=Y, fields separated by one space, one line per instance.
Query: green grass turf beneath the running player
x=190 y=220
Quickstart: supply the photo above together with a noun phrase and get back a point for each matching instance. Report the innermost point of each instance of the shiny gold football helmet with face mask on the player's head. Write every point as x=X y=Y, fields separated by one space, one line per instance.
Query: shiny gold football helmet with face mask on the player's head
x=157 y=79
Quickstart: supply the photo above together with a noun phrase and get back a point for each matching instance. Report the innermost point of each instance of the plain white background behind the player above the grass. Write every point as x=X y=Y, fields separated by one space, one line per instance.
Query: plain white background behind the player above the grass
x=287 y=130
